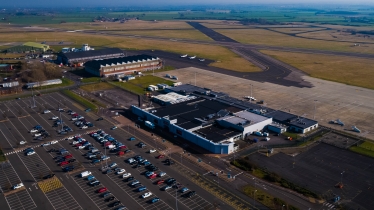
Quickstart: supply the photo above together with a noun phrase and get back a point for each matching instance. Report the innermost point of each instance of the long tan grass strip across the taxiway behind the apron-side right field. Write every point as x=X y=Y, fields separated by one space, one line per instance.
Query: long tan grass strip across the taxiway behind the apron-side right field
x=266 y=37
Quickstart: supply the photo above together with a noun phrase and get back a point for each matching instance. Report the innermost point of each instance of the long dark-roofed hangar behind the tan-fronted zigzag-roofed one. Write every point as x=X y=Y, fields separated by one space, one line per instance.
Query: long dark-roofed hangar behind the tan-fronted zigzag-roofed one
x=81 y=57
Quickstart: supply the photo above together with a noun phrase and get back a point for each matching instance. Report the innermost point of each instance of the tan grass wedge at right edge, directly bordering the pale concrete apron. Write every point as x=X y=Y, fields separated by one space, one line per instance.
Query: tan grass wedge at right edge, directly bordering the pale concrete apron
x=347 y=70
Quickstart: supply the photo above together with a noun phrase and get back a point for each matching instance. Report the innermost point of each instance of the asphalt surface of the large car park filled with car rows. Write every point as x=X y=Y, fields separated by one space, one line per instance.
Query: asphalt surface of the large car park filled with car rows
x=65 y=190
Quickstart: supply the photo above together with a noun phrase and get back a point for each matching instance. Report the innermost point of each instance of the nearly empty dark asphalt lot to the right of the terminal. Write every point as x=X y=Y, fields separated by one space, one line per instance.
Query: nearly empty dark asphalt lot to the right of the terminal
x=319 y=169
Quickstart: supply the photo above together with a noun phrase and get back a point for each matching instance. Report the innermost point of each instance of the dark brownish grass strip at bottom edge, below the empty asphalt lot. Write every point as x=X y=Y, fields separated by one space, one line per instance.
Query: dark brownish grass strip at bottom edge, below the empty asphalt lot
x=265 y=198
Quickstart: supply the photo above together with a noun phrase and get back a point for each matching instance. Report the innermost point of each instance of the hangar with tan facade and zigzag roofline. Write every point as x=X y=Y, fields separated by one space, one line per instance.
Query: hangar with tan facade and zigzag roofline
x=122 y=65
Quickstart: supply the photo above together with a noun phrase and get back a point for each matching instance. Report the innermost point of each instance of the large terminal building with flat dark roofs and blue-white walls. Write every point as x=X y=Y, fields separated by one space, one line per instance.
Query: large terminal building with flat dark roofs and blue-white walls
x=214 y=120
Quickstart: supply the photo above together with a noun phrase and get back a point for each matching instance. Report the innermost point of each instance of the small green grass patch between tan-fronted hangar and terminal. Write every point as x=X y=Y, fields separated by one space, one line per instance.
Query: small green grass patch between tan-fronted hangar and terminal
x=139 y=85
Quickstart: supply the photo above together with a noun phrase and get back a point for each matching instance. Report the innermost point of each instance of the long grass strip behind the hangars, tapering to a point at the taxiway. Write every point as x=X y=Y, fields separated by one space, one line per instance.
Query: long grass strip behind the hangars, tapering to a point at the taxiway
x=224 y=57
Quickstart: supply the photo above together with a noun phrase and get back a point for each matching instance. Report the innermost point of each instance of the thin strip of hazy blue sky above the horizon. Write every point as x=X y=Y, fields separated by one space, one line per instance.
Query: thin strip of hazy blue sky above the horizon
x=121 y=3
